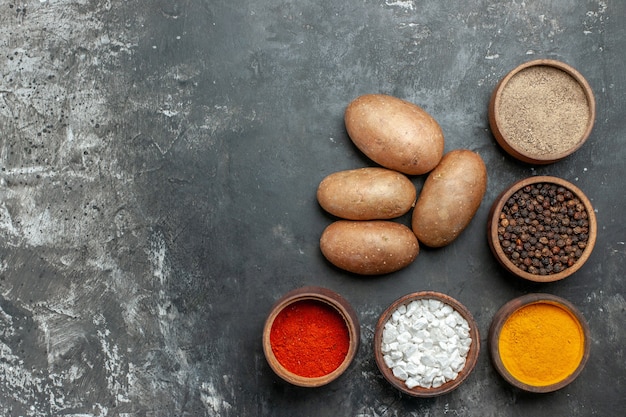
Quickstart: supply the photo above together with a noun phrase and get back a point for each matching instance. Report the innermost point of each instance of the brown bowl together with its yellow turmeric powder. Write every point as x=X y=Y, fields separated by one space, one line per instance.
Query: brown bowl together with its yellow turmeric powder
x=539 y=342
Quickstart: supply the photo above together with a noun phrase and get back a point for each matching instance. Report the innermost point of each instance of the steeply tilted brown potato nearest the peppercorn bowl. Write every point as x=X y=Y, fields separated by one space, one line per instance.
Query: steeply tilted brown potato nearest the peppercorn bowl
x=450 y=198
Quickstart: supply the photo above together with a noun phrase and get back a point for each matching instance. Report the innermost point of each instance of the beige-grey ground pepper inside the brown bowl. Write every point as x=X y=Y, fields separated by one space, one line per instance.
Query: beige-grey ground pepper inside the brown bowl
x=543 y=111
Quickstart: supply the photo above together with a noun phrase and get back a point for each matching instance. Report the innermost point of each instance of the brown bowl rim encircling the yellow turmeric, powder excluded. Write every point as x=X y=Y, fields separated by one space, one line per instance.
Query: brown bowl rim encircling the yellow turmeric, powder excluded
x=512 y=306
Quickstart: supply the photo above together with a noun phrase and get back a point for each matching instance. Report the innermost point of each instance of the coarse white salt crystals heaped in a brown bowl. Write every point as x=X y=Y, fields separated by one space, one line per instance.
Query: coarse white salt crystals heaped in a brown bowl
x=425 y=343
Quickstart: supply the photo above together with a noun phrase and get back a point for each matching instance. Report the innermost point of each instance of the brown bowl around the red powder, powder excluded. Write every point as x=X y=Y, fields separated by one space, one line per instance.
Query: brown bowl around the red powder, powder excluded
x=329 y=298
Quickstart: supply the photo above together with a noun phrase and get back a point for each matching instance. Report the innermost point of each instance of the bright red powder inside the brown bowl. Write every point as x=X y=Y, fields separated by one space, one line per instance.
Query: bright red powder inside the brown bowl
x=310 y=338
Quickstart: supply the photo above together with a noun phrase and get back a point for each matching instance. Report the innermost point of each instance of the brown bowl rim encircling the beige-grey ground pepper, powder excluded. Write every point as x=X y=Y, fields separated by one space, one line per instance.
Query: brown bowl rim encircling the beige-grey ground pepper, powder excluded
x=510 y=147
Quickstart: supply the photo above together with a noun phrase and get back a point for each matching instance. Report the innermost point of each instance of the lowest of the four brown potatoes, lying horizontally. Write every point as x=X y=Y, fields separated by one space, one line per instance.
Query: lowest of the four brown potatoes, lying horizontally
x=369 y=247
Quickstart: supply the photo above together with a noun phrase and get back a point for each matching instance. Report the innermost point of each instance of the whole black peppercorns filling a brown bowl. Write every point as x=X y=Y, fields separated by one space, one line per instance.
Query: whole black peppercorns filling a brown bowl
x=543 y=228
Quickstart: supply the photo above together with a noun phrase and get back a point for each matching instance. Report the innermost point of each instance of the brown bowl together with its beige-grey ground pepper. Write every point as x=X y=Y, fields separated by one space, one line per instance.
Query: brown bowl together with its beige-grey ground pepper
x=542 y=111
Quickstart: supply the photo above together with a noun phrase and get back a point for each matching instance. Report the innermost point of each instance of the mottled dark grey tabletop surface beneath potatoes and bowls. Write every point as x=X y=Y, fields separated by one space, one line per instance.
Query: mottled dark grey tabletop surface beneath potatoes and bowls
x=159 y=162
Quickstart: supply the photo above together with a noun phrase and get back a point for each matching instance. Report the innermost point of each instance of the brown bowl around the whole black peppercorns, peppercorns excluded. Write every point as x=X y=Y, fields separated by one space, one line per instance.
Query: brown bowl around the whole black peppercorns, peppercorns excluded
x=495 y=223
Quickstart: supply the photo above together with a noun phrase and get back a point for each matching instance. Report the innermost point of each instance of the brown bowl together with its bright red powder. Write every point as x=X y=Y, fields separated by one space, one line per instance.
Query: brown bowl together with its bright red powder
x=311 y=336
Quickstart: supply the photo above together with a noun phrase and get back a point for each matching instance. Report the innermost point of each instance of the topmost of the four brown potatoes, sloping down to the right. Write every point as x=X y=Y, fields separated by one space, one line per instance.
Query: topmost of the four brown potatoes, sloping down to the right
x=395 y=133
